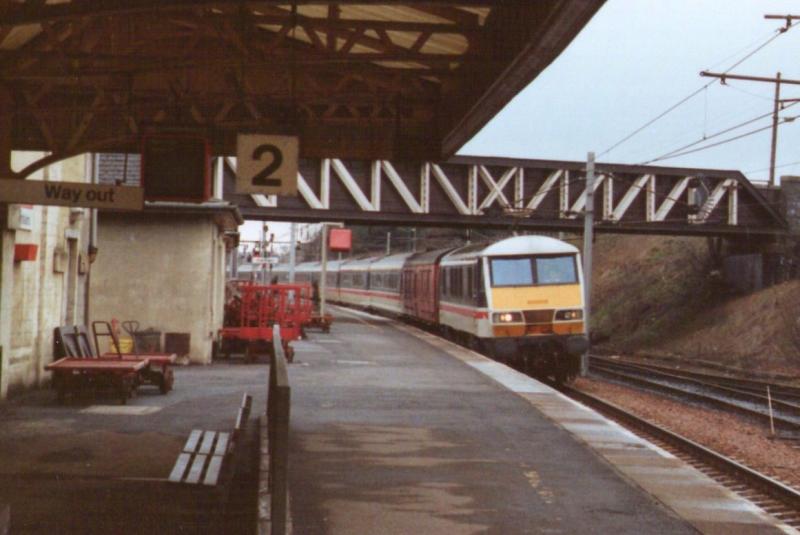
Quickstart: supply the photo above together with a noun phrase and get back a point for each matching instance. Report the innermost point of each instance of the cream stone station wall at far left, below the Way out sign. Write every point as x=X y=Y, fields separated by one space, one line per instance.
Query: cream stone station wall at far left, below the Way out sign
x=40 y=294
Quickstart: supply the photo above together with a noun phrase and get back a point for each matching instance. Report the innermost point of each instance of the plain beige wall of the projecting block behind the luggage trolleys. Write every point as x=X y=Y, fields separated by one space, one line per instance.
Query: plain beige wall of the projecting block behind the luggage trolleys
x=166 y=271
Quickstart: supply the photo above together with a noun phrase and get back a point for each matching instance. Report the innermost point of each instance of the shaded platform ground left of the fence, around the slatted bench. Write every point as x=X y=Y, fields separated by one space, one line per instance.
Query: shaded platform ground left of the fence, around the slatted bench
x=94 y=466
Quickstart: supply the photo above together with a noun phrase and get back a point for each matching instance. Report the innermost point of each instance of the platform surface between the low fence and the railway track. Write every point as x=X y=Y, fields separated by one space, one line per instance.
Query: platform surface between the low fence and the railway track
x=392 y=434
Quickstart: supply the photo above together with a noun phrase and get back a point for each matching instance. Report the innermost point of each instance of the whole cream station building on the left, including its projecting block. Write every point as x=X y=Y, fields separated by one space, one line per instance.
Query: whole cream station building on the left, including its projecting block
x=164 y=267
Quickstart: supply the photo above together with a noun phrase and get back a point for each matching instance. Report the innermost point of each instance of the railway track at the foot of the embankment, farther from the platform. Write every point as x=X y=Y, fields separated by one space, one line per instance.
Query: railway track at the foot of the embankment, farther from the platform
x=720 y=392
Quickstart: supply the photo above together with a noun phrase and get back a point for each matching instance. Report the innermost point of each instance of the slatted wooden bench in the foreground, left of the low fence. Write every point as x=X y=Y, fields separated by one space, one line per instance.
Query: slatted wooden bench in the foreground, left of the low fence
x=206 y=452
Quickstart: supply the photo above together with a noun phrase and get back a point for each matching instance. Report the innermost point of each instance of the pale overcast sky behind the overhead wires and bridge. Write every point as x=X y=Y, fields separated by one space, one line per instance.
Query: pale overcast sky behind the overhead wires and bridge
x=635 y=59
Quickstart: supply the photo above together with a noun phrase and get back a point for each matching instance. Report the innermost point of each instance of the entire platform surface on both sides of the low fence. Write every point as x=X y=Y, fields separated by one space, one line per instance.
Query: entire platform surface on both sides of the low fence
x=392 y=431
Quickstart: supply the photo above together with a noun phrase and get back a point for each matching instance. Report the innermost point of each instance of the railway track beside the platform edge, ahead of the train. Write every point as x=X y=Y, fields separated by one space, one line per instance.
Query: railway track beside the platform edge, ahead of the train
x=776 y=498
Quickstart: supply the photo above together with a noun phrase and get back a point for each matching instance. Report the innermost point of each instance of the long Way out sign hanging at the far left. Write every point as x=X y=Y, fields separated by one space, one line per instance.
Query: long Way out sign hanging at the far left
x=71 y=194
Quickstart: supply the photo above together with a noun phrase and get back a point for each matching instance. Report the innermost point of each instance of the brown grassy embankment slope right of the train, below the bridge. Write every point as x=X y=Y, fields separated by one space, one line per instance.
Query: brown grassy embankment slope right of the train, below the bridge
x=656 y=295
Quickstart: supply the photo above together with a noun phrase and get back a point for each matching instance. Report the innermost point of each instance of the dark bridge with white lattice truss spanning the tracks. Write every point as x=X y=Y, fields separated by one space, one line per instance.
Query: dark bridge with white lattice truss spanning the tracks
x=521 y=194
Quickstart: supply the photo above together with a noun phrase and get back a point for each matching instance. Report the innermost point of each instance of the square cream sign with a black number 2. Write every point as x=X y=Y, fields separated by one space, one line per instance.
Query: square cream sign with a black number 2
x=266 y=164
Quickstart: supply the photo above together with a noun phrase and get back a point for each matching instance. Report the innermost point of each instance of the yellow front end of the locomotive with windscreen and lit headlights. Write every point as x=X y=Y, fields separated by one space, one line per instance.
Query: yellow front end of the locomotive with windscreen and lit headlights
x=534 y=289
